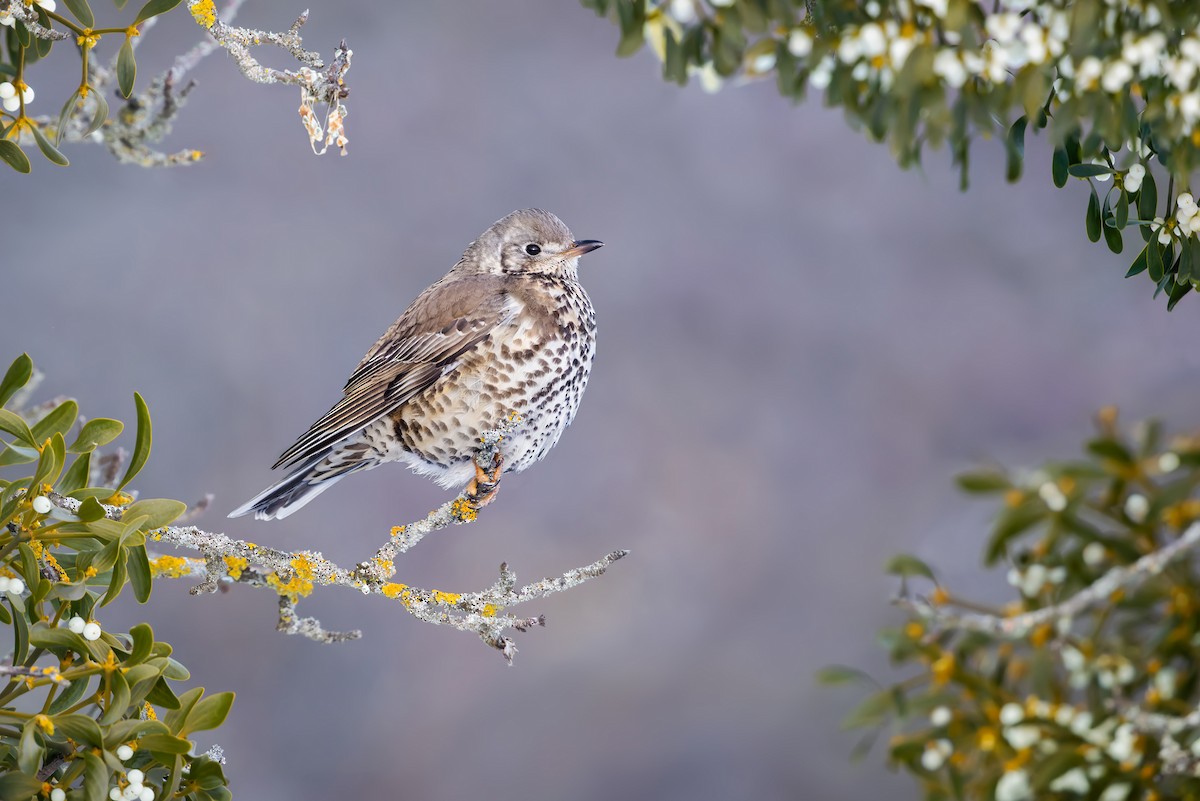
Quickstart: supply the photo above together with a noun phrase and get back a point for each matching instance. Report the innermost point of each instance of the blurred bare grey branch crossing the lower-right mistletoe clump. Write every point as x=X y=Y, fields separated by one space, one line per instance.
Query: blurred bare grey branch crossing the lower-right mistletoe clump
x=1119 y=579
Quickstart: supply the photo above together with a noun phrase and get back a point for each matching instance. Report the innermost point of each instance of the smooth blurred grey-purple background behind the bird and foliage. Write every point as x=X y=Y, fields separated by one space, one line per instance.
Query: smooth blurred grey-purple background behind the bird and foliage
x=800 y=346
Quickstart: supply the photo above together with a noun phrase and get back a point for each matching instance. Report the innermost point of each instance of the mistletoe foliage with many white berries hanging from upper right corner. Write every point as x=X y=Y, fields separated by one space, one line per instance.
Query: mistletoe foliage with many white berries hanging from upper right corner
x=1117 y=83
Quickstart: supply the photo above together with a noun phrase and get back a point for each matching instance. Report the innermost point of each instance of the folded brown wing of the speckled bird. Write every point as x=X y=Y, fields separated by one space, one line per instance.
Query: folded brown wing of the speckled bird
x=447 y=321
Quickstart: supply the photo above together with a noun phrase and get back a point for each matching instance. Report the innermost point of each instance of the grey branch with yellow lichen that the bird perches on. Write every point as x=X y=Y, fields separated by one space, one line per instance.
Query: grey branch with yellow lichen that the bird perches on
x=293 y=576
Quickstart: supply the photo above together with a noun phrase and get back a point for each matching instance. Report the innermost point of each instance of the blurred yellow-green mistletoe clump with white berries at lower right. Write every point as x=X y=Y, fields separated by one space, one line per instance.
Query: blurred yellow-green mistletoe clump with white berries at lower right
x=1070 y=709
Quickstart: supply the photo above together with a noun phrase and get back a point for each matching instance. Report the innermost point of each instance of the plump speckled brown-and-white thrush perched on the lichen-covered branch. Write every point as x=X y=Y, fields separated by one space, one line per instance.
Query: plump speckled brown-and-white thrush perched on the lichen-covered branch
x=508 y=332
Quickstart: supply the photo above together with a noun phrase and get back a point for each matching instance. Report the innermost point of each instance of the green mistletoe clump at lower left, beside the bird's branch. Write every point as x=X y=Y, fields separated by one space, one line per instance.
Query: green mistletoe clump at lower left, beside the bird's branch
x=85 y=712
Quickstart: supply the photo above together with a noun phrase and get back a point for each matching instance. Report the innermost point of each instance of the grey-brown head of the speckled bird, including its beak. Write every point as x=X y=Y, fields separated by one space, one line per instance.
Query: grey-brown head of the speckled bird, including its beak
x=530 y=242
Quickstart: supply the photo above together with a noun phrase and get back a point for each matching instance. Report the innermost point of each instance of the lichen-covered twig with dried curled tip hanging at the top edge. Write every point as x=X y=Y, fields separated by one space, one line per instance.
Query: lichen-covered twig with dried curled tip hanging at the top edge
x=319 y=83
